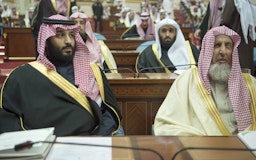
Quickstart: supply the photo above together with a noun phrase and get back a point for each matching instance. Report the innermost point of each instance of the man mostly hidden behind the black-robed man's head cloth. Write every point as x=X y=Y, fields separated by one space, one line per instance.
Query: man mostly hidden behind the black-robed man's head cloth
x=98 y=47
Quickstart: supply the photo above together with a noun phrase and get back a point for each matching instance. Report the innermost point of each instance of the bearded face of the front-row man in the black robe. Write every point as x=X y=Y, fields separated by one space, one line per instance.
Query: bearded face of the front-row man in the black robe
x=61 y=47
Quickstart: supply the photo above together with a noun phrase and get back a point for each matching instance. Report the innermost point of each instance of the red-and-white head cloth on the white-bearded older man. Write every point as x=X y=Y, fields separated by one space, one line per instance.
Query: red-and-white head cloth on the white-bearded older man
x=238 y=93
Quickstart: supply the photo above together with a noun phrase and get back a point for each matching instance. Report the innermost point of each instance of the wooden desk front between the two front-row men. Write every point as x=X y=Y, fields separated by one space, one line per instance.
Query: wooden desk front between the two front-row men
x=140 y=99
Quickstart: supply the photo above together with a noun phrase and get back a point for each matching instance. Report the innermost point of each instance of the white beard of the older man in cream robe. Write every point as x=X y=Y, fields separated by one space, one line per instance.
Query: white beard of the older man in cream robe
x=219 y=72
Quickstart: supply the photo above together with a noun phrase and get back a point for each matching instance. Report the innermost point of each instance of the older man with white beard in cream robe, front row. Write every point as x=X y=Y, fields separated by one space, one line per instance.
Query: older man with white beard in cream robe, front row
x=215 y=99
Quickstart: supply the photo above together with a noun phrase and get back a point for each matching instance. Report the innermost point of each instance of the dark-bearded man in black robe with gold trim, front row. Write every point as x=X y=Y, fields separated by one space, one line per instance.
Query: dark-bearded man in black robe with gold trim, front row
x=61 y=89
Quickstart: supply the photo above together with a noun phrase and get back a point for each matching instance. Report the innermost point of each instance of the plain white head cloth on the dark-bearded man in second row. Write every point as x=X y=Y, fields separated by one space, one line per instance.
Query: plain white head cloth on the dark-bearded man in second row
x=177 y=53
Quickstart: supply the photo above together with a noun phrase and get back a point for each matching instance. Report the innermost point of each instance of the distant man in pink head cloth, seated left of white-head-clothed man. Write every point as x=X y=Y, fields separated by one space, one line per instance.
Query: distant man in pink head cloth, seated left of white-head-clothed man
x=143 y=30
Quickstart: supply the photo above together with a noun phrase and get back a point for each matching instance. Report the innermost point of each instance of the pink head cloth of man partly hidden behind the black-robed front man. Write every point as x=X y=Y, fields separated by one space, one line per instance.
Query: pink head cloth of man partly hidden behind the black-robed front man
x=91 y=41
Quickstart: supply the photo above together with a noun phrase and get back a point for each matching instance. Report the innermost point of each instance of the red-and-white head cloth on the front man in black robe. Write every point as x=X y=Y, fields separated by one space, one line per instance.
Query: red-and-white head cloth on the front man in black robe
x=84 y=77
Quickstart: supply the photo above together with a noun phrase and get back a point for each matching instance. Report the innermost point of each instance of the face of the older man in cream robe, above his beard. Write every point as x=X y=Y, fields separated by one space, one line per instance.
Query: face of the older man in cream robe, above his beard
x=223 y=49
